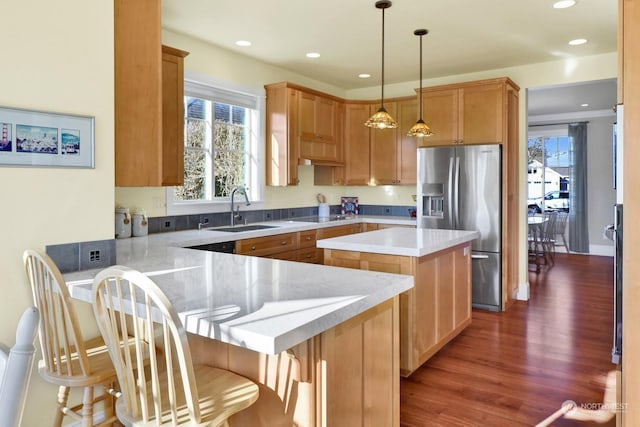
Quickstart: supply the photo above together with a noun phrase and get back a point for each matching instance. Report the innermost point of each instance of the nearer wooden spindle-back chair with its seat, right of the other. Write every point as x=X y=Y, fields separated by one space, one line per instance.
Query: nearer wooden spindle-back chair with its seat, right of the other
x=174 y=391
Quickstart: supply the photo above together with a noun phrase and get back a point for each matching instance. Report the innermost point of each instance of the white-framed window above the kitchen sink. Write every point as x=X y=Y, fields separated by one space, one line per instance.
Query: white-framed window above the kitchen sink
x=223 y=130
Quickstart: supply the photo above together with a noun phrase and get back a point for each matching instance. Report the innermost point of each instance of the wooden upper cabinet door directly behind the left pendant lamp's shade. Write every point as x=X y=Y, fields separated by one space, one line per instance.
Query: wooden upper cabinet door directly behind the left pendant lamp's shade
x=383 y=151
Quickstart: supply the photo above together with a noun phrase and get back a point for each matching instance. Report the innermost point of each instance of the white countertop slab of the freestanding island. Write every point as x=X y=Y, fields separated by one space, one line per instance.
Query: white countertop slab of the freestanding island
x=400 y=241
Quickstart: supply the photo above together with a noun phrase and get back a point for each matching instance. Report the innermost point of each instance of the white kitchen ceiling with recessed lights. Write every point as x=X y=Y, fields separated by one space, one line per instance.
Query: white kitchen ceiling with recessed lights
x=464 y=35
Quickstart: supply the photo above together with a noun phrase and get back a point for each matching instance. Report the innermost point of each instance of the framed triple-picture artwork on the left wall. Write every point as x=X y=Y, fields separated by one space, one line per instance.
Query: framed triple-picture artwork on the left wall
x=40 y=138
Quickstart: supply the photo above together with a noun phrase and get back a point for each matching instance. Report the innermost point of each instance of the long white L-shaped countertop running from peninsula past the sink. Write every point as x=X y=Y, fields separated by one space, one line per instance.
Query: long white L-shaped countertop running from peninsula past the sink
x=261 y=304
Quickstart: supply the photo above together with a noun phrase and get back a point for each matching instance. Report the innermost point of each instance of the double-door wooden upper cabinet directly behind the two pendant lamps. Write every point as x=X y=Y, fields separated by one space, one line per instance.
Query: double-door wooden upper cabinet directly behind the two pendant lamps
x=393 y=153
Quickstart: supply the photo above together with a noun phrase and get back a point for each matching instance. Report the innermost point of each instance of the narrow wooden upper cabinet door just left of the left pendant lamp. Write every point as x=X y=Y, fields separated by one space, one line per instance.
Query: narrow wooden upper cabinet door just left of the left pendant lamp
x=356 y=144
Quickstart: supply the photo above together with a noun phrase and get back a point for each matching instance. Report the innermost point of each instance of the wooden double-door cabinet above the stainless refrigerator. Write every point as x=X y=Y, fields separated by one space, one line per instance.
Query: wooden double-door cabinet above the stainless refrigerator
x=467 y=113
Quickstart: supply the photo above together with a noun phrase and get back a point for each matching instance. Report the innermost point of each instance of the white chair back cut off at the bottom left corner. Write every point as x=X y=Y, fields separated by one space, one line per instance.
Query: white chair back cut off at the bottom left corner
x=15 y=369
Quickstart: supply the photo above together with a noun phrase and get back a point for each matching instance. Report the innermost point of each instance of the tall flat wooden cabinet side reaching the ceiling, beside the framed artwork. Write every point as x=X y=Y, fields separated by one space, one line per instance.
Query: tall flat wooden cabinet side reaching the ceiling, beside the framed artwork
x=138 y=93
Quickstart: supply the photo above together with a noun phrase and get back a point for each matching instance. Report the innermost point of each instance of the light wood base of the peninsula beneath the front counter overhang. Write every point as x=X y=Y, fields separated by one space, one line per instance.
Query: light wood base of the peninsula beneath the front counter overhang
x=346 y=376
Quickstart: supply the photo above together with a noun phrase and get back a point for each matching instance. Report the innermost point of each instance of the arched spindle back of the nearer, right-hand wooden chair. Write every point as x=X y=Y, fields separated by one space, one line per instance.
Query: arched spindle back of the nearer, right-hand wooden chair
x=120 y=291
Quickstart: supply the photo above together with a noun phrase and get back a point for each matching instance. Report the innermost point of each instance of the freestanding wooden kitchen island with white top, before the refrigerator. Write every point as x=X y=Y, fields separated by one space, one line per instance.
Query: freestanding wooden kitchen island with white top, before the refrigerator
x=438 y=307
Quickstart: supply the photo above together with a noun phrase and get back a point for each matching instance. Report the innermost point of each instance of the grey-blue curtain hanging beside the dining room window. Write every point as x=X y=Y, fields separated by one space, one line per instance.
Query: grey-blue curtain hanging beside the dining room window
x=578 y=202
